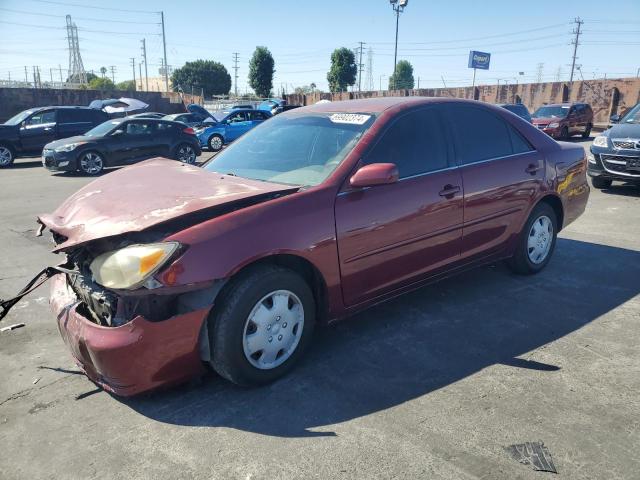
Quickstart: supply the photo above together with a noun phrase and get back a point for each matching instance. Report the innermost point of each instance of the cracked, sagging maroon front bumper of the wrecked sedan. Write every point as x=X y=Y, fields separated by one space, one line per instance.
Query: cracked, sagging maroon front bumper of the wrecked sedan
x=133 y=358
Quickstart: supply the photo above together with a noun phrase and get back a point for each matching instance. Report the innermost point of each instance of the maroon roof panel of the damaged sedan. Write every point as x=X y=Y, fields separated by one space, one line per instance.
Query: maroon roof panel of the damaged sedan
x=379 y=105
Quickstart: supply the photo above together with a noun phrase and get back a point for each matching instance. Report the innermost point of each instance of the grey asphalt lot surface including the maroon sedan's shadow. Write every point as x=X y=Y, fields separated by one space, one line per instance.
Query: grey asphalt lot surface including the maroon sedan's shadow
x=435 y=384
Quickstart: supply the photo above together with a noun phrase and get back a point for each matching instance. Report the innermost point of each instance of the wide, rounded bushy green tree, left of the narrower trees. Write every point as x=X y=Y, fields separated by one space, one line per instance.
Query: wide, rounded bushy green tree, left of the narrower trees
x=207 y=75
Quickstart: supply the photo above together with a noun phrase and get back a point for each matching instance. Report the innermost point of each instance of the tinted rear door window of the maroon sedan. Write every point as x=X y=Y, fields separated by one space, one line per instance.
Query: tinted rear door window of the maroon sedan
x=481 y=135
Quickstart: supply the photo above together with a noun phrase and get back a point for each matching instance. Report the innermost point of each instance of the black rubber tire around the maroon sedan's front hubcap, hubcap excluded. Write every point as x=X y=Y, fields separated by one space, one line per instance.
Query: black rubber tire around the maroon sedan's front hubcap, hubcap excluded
x=229 y=318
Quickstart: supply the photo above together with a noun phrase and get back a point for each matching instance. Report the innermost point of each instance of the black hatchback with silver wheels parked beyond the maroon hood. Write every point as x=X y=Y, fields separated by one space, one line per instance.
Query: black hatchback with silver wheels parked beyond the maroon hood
x=122 y=142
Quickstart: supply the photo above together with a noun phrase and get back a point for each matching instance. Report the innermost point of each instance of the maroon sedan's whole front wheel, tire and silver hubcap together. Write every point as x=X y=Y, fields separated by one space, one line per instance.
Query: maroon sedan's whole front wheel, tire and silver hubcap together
x=261 y=325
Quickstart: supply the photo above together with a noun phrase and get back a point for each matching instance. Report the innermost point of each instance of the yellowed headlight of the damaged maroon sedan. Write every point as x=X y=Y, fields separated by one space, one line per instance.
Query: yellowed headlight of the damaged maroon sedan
x=129 y=267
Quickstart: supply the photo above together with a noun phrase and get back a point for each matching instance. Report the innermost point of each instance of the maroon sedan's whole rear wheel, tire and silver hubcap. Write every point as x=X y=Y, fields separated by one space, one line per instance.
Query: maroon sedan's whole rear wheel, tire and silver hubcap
x=536 y=241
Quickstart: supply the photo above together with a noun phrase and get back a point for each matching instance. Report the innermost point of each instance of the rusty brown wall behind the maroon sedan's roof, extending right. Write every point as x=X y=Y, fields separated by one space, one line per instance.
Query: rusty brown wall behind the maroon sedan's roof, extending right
x=606 y=97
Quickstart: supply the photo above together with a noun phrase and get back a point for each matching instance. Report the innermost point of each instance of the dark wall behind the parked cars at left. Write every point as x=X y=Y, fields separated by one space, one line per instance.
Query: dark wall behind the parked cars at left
x=14 y=100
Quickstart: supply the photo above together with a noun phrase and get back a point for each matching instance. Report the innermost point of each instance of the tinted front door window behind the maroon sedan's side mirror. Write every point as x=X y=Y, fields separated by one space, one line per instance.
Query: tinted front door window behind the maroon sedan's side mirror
x=415 y=142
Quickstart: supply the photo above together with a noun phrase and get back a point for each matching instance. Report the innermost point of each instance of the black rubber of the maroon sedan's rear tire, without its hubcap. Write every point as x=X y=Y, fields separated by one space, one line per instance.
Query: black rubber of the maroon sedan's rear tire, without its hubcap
x=521 y=262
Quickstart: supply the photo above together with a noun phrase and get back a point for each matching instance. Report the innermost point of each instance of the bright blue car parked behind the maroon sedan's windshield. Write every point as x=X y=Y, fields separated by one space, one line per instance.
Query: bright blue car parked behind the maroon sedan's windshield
x=229 y=126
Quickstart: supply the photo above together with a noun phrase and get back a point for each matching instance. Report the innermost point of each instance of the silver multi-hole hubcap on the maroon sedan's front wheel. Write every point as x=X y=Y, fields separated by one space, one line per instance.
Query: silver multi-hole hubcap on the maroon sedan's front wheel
x=273 y=329
